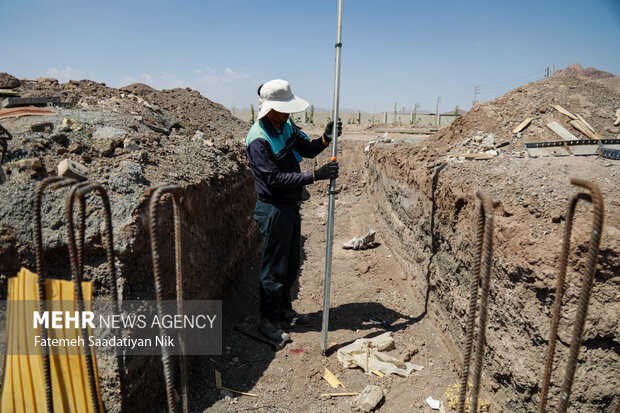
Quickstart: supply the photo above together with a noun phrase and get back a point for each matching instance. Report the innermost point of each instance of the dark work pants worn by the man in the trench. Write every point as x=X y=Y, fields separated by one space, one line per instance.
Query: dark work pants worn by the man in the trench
x=281 y=229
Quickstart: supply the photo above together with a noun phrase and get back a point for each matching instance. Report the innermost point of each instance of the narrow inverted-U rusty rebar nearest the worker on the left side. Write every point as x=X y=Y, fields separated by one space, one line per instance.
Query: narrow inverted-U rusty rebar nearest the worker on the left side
x=158 y=194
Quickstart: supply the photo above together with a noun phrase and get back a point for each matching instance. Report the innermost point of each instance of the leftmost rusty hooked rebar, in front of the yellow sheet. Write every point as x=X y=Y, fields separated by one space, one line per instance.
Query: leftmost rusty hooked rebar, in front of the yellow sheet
x=38 y=246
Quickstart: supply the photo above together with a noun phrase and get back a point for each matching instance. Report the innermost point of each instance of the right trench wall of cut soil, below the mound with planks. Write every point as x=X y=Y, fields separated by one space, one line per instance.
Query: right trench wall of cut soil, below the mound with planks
x=427 y=211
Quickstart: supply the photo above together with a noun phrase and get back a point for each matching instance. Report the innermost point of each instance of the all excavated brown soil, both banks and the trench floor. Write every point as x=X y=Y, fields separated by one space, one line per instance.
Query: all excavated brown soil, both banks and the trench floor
x=421 y=202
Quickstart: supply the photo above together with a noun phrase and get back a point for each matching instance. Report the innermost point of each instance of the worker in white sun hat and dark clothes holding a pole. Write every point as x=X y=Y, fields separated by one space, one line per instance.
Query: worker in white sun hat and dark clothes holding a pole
x=275 y=147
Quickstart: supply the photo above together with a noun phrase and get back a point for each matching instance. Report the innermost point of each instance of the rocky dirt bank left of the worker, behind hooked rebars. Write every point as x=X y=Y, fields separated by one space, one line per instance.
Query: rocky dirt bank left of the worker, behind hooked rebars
x=128 y=144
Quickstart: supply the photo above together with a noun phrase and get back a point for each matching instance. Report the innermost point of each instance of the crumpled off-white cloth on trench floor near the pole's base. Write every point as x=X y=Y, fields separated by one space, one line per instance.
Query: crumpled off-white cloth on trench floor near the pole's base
x=368 y=353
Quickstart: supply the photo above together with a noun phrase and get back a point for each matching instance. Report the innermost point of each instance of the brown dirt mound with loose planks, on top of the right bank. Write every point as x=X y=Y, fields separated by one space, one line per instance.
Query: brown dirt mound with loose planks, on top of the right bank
x=588 y=98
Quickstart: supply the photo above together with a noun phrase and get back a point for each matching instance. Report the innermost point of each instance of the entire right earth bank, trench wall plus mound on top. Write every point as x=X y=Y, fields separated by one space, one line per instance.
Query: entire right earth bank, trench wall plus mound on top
x=427 y=201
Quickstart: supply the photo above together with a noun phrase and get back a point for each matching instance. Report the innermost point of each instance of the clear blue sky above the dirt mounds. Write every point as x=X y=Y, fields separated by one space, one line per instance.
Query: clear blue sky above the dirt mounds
x=403 y=52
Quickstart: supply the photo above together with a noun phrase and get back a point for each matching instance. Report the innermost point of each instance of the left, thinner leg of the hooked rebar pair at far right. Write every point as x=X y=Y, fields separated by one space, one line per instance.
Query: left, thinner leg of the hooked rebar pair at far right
x=559 y=294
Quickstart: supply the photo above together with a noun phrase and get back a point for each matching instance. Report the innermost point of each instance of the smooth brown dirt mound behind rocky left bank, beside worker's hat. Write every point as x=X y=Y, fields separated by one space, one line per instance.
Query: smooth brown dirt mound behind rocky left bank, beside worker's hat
x=193 y=110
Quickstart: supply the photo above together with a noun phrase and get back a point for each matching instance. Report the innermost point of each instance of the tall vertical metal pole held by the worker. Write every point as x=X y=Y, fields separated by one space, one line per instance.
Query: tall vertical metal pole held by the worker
x=332 y=187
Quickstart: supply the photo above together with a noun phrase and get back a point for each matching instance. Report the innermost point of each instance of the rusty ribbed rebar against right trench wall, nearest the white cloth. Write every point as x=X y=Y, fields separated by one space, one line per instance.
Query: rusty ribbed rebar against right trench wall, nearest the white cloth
x=481 y=275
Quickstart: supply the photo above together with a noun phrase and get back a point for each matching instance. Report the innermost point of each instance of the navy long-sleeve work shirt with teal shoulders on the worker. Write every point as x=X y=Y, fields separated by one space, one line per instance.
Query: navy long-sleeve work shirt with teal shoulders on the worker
x=274 y=157
